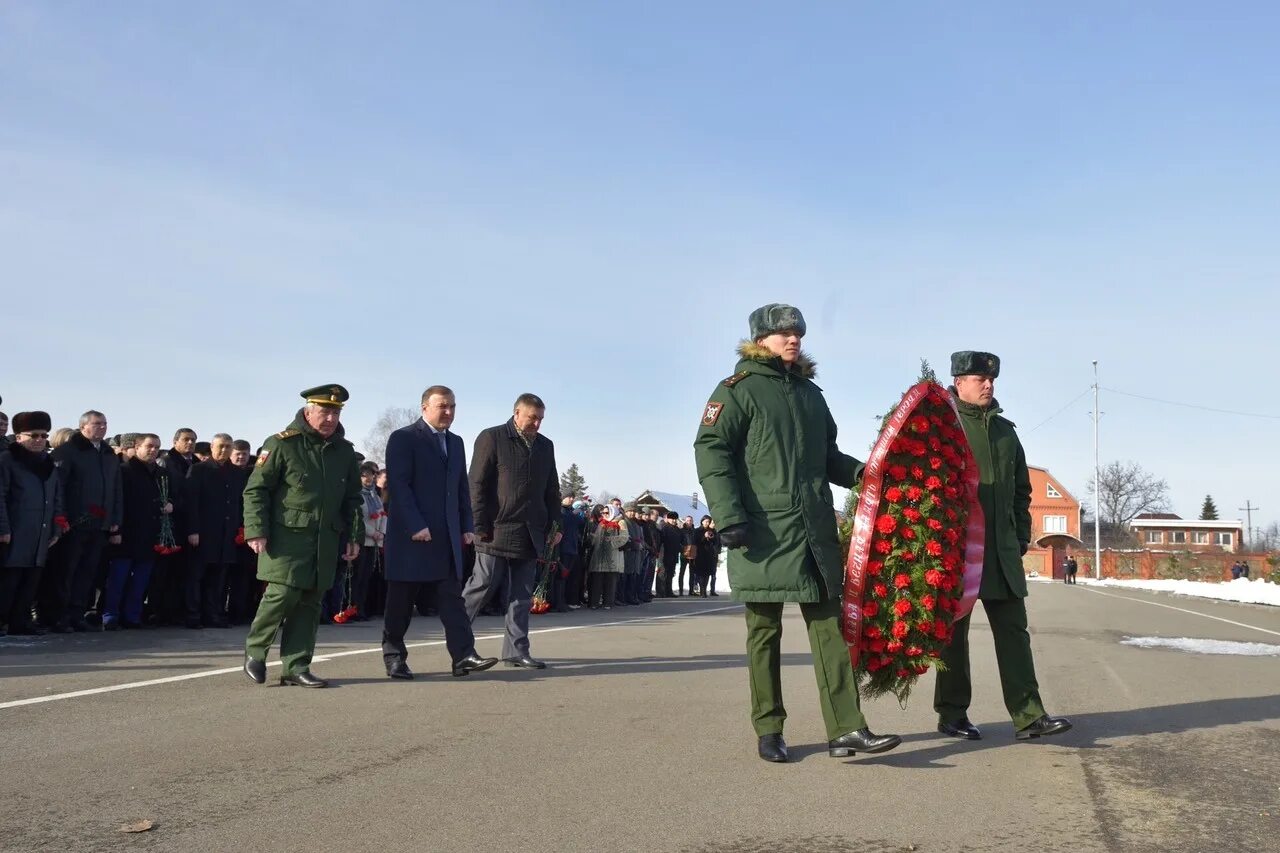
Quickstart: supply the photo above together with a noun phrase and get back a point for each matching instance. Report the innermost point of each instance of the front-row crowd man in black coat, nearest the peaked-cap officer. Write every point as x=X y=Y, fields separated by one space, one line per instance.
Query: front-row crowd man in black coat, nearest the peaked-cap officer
x=214 y=510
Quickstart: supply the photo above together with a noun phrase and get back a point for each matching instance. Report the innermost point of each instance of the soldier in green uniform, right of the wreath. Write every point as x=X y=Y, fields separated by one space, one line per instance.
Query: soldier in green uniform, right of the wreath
x=1005 y=494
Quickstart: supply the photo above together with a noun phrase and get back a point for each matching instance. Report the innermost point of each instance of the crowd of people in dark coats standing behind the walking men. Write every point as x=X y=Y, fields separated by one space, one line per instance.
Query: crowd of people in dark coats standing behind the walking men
x=109 y=533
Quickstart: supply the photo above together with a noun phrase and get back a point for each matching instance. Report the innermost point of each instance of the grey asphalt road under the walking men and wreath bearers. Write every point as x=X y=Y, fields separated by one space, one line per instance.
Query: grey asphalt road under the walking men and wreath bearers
x=638 y=740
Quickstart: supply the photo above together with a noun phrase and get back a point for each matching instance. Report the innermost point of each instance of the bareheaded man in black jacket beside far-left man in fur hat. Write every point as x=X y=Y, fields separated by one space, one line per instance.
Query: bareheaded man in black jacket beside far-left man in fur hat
x=94 y=503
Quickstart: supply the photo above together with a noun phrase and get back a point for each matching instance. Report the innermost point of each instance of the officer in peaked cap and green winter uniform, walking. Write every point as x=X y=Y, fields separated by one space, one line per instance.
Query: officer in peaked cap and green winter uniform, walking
x=301 y=501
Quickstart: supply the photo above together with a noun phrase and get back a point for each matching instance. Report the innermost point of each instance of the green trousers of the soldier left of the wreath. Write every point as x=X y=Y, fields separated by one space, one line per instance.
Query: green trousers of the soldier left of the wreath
x=838 y=687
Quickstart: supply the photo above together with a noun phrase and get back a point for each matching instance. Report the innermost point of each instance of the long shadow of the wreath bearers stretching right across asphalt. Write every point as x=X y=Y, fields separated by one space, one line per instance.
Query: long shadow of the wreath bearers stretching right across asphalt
x=1089 y=732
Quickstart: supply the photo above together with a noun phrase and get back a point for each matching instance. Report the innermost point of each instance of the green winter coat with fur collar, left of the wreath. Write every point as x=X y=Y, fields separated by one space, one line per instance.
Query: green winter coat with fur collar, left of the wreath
x=766 y=455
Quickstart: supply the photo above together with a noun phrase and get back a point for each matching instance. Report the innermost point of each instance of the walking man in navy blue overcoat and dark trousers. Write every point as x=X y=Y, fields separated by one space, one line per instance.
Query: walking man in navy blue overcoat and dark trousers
x=429 y=521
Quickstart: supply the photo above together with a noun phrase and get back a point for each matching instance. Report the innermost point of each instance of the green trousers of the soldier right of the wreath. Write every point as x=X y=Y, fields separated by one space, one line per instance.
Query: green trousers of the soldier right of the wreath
x=954 y=688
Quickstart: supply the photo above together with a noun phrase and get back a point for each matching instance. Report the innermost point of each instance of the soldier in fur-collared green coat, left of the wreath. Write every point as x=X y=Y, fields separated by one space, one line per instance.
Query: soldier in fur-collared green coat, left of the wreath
x=766 y=453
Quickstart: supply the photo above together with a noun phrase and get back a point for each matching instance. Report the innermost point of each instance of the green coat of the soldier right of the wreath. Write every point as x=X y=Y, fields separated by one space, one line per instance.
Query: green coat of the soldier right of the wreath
x=1005 y=494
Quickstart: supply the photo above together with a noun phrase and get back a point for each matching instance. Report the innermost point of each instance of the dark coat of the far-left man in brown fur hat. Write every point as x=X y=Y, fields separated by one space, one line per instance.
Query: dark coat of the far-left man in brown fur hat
x=31 y=498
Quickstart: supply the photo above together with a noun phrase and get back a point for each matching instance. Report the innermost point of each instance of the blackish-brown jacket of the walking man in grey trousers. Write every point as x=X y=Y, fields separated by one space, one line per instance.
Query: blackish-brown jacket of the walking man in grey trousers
x=515 y=492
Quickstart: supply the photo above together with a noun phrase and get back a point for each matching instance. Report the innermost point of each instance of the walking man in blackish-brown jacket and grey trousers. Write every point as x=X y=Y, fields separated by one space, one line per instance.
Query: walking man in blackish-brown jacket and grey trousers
x=515 y=499
